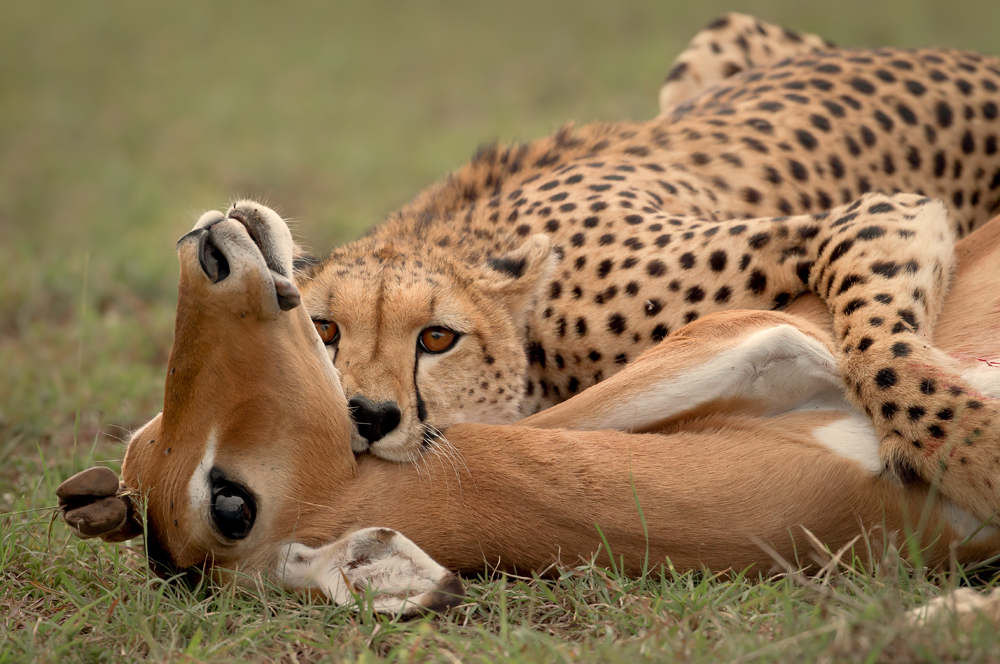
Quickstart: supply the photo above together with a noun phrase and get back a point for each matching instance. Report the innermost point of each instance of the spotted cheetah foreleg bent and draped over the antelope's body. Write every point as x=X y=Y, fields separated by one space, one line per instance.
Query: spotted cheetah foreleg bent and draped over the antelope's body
x=884 y=267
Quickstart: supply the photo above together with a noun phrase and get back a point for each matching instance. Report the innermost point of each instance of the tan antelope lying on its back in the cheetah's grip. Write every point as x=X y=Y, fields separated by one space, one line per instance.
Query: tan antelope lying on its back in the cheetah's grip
x=732 y=433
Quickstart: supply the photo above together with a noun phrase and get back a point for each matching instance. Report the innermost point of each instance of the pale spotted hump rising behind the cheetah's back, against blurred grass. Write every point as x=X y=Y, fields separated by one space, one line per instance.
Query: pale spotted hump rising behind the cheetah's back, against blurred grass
x=729 y=45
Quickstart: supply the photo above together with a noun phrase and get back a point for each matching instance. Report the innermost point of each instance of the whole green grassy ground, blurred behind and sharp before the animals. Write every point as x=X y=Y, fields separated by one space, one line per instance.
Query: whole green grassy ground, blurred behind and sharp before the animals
x=122 y=121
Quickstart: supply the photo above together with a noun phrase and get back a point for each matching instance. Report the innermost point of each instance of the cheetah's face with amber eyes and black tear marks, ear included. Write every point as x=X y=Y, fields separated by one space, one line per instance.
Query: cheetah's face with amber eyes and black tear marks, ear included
x=424 y=341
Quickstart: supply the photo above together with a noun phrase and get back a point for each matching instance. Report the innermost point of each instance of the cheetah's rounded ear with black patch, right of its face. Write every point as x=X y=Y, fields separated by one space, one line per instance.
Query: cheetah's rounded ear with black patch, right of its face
x=517 y=278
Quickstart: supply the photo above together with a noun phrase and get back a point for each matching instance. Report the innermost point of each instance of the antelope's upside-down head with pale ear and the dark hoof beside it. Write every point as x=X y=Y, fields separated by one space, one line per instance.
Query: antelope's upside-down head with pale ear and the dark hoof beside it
x=253 y=444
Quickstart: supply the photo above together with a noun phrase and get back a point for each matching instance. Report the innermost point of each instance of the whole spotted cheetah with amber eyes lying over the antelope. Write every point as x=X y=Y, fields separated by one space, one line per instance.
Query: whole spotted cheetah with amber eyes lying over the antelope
x=539 y=269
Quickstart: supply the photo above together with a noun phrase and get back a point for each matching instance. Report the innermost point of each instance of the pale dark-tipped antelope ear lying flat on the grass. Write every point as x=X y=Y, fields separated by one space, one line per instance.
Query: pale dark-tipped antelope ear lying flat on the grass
x=402 y=579
